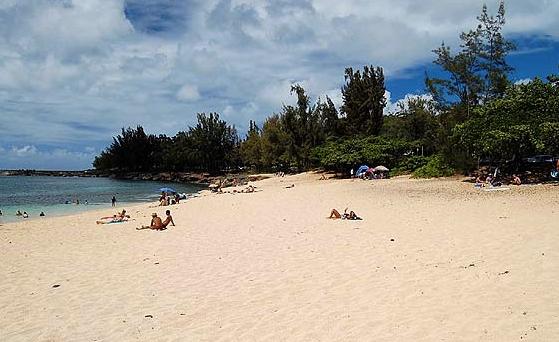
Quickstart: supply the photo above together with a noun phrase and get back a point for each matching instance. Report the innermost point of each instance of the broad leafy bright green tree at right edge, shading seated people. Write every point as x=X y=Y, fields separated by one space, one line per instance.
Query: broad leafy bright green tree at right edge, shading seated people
x=524 y=121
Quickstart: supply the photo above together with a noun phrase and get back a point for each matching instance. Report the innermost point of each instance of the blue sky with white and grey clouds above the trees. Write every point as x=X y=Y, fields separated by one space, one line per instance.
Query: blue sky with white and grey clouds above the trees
x=74 y=72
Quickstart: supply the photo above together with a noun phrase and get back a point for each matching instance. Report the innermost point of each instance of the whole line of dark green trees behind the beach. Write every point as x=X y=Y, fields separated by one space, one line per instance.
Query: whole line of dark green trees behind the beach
x=474 y=112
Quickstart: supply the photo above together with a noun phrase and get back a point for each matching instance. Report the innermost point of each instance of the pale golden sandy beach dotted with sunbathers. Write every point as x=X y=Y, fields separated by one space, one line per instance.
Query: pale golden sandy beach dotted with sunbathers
x=432 y=260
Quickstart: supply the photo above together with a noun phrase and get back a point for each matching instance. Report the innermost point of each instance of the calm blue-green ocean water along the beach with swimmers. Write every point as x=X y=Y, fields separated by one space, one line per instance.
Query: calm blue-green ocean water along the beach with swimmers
x=34 y=194
